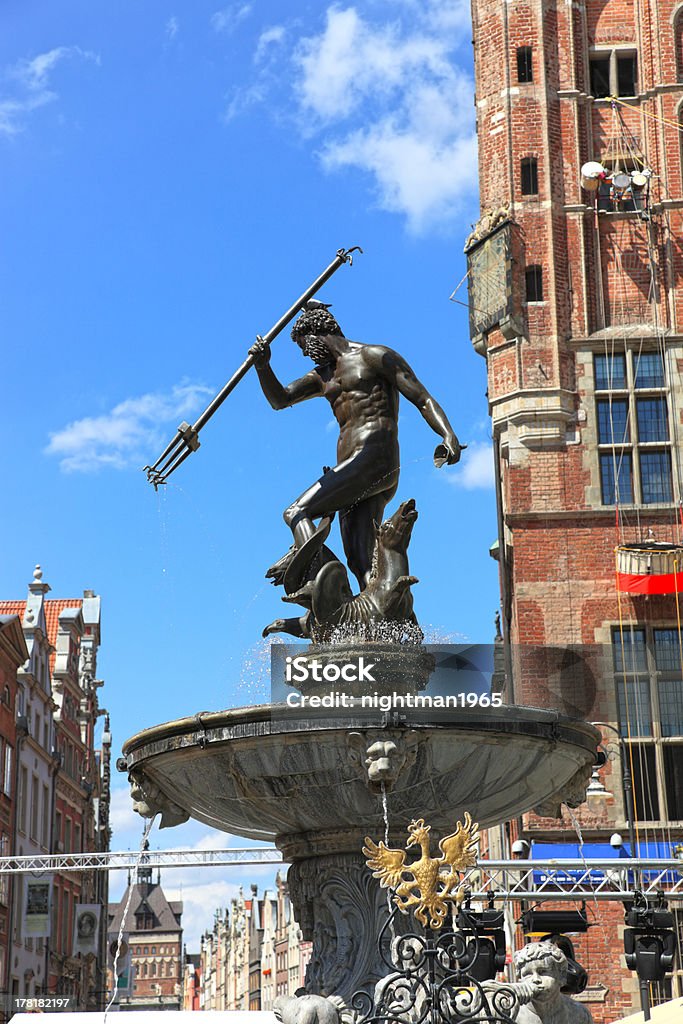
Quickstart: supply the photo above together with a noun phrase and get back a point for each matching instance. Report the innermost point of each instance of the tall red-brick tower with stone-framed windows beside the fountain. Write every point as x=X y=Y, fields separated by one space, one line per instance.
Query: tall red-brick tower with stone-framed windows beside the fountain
x=577 y=306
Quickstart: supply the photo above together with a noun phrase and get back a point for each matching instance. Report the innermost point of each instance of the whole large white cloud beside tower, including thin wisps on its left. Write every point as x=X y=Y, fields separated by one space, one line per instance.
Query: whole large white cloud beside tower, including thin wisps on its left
x=380 y=92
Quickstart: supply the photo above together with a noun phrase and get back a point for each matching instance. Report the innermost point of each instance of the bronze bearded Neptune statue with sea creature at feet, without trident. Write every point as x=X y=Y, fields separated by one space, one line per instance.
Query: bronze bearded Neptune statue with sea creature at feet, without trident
x=363 y=385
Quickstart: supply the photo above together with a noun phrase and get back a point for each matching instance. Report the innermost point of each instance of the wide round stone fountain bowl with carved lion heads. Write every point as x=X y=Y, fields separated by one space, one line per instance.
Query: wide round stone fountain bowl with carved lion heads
x=314 y=784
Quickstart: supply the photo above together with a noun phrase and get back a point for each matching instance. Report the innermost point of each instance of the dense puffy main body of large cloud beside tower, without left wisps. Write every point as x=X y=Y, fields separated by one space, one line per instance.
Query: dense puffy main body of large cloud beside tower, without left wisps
x=390 y=101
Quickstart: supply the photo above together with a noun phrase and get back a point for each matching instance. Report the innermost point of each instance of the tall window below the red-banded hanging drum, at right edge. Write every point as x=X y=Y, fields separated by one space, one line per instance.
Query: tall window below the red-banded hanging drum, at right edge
x=650 y=698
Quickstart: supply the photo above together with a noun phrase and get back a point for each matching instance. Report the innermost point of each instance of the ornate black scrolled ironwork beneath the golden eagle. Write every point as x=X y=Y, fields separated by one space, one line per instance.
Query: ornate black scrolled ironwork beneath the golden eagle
x=432 y=979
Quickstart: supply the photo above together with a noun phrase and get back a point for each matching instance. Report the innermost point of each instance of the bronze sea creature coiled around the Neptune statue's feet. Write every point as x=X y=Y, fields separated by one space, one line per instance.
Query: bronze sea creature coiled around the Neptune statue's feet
x=319 y=582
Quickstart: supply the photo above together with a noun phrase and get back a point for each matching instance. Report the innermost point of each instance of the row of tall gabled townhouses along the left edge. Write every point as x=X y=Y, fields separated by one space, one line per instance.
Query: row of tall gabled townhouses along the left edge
x=63 y=799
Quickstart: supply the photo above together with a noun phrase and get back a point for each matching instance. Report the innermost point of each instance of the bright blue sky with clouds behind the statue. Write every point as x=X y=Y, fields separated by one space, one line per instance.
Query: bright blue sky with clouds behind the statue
x=174 y=177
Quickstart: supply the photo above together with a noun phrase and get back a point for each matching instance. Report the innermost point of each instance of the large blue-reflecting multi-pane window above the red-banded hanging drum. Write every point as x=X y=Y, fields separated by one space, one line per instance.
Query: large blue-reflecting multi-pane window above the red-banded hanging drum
x=634 y=440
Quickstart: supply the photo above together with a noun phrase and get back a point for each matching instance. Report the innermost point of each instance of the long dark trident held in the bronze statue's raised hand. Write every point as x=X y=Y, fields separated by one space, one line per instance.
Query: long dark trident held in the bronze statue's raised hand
x=187 y=440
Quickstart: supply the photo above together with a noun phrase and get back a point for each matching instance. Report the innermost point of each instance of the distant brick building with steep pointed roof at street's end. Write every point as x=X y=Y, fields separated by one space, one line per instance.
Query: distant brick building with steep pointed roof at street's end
x=154 y=940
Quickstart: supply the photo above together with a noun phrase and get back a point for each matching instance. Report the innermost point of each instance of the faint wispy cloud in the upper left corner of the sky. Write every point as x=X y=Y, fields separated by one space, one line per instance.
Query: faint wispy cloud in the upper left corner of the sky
x=30 y=79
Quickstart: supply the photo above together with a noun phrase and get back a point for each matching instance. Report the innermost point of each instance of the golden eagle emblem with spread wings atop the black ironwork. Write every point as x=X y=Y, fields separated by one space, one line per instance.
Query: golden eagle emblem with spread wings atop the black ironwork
x=430 y=883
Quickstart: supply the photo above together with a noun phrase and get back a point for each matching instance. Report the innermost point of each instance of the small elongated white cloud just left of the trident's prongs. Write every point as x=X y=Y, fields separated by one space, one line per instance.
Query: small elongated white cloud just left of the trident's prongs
x=127 y=435
